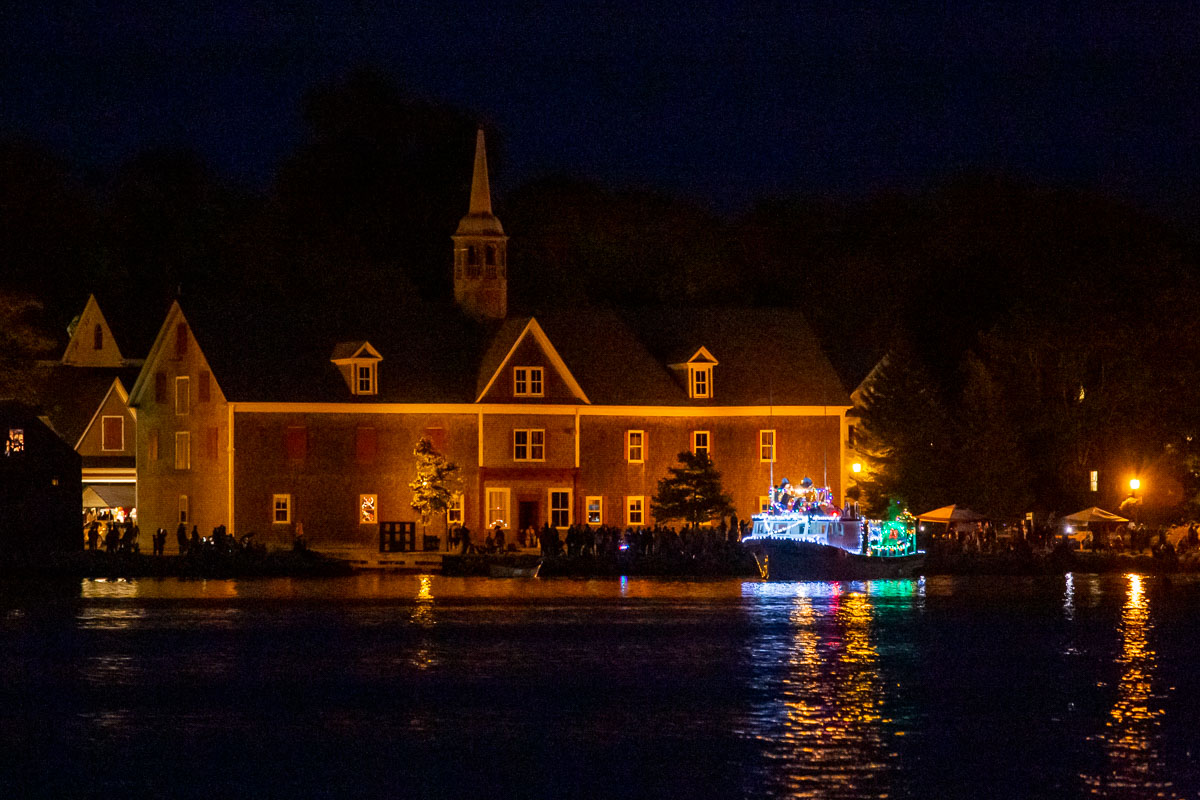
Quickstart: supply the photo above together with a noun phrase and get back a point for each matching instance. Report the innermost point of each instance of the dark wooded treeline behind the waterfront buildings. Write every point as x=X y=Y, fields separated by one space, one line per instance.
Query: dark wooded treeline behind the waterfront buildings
x=1035 y=332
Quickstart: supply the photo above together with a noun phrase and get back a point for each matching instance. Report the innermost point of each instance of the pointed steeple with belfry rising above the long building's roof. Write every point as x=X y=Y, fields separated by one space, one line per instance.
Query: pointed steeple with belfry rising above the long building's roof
x=481 y=263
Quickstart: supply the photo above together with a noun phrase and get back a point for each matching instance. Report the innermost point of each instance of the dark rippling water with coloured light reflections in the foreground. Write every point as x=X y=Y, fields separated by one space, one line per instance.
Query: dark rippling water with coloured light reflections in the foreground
x=406 y=687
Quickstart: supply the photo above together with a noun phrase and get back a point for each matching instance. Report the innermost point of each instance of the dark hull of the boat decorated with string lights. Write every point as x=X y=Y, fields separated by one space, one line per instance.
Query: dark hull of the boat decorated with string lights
x=782 y=560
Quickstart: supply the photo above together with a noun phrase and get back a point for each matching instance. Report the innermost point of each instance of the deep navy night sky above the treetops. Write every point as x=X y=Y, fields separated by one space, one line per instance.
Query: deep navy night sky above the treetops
x=717 y=101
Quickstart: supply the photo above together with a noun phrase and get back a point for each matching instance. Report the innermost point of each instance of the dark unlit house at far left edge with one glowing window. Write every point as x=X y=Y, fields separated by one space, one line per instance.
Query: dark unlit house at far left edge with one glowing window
x=40 y=486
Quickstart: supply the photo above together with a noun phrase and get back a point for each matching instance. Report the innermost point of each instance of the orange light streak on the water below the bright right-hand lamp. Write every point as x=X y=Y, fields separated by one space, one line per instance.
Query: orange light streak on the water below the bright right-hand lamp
x=1132 y=736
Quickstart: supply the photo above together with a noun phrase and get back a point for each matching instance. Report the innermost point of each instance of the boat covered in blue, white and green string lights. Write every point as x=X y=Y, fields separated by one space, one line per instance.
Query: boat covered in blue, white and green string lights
x=805 y=537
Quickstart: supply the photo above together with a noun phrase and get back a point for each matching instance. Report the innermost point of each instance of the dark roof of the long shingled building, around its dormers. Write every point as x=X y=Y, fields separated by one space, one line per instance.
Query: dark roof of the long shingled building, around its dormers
x=435 y=354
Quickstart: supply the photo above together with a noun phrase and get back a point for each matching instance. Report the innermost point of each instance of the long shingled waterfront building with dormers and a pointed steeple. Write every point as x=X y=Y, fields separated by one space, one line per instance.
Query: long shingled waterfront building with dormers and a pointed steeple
x=268 y=422
